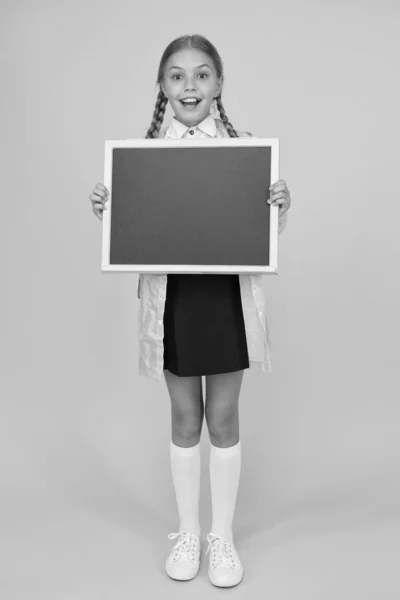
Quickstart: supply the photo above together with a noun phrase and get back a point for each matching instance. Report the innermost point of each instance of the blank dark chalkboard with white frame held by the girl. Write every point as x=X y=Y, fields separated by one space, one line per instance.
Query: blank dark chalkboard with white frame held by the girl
x=190 y=206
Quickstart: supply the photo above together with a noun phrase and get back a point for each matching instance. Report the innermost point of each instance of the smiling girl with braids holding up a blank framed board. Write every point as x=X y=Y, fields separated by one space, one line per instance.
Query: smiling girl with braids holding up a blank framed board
x=195 y=325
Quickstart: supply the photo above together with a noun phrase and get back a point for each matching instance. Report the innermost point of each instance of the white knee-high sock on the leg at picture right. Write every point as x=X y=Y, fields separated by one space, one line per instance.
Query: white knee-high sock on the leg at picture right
x=225 y=464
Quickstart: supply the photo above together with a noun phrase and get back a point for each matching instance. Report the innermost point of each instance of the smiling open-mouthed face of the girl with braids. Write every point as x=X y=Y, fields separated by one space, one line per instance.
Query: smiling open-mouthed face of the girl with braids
x=190 y=81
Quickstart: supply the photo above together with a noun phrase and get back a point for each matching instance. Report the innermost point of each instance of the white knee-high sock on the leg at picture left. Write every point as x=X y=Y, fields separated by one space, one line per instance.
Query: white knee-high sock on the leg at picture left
x=185 y=467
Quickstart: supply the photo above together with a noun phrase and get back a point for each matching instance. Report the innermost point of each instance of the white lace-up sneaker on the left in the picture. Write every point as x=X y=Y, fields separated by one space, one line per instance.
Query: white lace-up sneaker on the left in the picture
x=183 y=562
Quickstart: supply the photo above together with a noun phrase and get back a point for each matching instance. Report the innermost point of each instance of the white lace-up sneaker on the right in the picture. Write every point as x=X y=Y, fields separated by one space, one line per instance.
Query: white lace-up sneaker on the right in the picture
x=225 y=568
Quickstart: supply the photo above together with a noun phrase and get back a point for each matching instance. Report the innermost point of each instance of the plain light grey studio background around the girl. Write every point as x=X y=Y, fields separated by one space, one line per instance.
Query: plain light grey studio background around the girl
x=87 y=498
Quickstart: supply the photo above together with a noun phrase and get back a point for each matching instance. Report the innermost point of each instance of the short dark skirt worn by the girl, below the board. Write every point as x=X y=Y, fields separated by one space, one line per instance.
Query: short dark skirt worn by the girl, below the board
x=204 y=330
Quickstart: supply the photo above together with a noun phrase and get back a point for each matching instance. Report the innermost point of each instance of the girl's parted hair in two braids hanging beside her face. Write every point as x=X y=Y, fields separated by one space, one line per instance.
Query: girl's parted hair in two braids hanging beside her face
x=198 y=42
